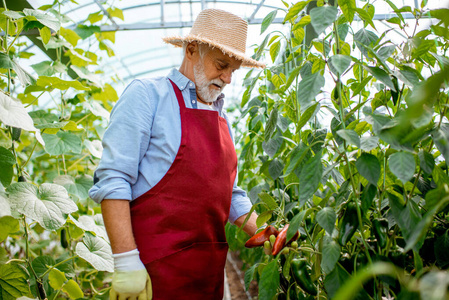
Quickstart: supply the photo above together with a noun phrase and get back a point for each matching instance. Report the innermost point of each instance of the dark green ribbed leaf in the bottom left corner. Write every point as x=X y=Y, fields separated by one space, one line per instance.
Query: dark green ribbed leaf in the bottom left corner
x=13 y=282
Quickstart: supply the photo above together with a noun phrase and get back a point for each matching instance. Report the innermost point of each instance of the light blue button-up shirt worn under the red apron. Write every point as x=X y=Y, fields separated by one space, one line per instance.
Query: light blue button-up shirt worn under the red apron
x=143 y=138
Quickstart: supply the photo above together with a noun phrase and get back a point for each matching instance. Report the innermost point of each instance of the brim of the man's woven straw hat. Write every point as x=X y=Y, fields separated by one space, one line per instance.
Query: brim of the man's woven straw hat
x=246 y=61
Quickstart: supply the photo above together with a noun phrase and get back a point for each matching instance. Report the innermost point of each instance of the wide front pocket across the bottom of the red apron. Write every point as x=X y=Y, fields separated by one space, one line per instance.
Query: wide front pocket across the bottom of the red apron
x=194 y=272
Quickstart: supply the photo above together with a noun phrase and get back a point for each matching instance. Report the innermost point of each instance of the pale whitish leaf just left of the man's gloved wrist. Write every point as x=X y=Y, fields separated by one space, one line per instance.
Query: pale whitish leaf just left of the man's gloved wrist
x=97 y=252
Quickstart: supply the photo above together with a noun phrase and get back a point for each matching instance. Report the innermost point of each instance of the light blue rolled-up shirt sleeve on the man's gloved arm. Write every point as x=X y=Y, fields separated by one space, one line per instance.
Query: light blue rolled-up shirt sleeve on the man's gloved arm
x=124 y=144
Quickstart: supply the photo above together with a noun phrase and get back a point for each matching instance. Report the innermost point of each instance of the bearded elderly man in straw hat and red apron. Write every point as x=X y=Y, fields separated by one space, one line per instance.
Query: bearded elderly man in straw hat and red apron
x=168 y=149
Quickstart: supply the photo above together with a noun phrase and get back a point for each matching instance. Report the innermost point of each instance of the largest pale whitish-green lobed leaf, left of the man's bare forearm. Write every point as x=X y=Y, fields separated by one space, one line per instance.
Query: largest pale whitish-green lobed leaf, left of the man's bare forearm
x=47 y=204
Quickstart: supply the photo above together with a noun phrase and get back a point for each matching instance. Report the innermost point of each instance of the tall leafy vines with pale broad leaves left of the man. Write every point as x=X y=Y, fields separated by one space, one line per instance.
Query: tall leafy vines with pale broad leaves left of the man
x=53 y=244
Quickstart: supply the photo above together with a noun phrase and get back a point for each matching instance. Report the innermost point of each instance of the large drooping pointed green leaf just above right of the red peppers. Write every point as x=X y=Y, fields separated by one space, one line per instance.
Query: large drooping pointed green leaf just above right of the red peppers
x=310 y=178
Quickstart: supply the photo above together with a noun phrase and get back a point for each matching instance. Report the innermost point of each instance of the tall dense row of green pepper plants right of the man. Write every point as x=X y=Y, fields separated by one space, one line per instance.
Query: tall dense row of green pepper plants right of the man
x=346 y=139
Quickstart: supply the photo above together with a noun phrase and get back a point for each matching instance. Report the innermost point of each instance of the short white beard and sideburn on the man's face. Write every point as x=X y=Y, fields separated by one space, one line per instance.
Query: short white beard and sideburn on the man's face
x=203 y=84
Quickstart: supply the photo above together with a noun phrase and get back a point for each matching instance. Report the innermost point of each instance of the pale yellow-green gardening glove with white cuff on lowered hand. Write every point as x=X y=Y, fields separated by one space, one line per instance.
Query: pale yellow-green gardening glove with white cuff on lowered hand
x=130 y=280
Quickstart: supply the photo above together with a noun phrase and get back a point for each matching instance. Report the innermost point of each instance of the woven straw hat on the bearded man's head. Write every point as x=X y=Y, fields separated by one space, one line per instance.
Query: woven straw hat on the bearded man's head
x=219 y=29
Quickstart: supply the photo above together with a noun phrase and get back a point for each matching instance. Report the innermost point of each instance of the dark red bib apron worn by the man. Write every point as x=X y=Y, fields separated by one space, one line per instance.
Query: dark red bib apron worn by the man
x=179 y=224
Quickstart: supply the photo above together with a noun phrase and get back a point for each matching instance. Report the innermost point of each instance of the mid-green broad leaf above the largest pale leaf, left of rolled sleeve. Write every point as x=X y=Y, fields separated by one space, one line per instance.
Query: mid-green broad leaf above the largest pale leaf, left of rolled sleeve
x=62 y=142
